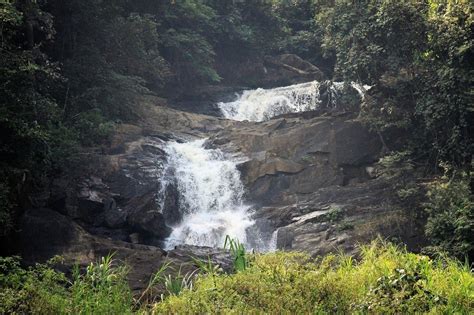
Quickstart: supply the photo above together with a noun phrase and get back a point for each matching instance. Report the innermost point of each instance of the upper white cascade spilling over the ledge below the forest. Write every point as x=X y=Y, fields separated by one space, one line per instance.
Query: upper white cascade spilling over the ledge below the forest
x=263 y=104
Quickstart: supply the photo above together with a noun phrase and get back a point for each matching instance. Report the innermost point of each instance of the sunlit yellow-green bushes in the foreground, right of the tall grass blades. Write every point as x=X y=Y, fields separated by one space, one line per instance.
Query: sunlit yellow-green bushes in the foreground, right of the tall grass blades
x=387 y=279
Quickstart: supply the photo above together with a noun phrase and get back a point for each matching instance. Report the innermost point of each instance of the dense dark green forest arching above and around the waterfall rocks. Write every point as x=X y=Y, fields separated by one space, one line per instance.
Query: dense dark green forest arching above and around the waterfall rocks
x=72 y=71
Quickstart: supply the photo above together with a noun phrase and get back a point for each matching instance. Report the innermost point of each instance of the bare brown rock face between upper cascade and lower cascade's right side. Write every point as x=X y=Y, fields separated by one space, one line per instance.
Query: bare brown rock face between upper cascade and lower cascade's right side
x=299 y=156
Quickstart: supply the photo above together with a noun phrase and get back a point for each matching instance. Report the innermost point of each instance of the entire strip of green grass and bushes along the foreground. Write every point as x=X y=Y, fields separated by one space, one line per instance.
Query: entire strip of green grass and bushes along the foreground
x=385 y=280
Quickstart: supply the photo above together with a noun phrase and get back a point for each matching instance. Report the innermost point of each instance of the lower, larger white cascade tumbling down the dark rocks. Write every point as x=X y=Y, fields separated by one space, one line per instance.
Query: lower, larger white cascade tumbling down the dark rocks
x=210 y=192
